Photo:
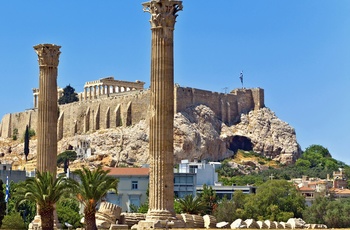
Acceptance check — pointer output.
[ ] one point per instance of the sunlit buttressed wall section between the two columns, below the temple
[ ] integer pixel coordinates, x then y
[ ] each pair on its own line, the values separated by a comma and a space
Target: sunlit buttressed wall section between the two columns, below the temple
120, 109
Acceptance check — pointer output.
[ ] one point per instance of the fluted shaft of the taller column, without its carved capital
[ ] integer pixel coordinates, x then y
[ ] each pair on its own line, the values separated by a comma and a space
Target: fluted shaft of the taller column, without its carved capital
161, 124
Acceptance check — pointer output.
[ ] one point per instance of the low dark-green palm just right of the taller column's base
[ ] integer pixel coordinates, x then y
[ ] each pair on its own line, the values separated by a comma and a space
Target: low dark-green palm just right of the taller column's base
191, 205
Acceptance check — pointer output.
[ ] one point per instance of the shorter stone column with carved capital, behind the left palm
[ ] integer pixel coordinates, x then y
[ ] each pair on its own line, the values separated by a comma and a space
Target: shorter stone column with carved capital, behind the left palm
48, 55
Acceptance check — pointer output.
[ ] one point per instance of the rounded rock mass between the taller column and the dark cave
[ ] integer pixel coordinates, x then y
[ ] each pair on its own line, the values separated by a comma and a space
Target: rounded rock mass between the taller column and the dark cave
197, 135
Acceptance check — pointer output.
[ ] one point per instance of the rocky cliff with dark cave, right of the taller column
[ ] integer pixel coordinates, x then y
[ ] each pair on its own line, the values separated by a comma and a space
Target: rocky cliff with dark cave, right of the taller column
199, 134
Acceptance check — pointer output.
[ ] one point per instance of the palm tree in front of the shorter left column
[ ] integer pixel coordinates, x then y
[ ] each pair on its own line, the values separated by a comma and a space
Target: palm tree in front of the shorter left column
45, 190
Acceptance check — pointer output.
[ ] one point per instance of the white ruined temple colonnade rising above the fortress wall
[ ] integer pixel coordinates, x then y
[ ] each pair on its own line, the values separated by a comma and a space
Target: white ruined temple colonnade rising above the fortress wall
107, 86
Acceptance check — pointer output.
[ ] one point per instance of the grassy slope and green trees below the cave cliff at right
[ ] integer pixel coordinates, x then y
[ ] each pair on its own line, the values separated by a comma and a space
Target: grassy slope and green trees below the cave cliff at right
251, 168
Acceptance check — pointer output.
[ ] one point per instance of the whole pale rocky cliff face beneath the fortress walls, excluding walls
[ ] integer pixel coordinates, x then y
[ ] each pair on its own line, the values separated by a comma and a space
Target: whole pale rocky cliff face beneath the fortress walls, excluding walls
198, 134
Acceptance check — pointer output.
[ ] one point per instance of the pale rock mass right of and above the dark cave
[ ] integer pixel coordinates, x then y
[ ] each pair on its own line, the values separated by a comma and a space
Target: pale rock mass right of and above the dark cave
269, 135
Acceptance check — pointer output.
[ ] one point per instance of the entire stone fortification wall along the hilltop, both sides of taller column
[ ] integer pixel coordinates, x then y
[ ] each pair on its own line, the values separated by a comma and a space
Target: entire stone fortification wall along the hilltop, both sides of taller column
128, 108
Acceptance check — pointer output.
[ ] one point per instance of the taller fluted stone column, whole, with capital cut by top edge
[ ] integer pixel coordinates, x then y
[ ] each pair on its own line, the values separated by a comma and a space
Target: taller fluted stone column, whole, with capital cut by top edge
161, 150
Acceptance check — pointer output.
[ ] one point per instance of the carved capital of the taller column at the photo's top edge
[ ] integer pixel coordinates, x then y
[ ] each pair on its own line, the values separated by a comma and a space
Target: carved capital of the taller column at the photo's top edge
163, 12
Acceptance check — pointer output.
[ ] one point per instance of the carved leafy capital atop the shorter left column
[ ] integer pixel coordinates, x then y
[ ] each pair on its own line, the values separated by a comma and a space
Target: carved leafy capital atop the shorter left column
48, 54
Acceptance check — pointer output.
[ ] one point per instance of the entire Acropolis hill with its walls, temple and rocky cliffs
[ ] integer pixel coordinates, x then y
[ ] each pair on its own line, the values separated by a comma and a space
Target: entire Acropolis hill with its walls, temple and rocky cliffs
208, 125
